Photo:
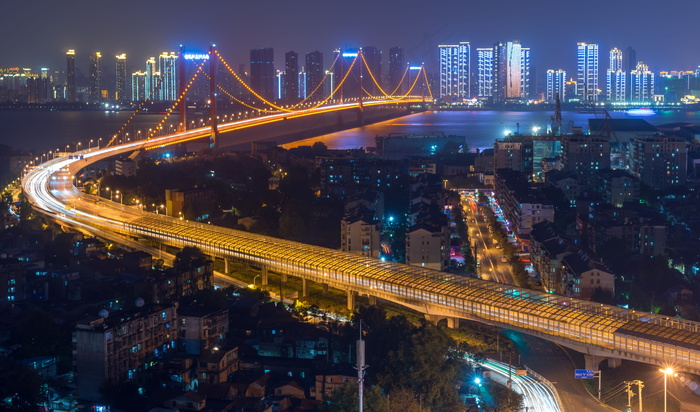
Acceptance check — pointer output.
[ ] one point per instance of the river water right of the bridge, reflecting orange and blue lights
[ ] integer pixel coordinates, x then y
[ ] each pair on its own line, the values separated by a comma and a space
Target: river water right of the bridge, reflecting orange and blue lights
480, 127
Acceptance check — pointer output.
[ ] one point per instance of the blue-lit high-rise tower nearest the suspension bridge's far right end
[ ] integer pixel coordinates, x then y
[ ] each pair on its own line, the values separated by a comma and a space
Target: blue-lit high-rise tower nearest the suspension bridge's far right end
455, 71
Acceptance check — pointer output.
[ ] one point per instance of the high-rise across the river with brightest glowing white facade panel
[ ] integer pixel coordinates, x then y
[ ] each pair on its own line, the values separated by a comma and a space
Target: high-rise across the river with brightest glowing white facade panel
510, 78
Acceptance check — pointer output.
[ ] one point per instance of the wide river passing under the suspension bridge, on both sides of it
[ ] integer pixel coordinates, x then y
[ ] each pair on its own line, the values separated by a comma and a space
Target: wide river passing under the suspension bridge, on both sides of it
39, 131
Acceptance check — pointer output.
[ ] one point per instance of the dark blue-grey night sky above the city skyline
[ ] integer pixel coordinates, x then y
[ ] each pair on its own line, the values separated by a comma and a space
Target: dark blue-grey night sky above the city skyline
36, 33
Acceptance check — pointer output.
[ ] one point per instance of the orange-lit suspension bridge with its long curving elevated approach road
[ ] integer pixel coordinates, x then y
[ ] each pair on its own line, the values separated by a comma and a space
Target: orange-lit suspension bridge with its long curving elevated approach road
599, 331
